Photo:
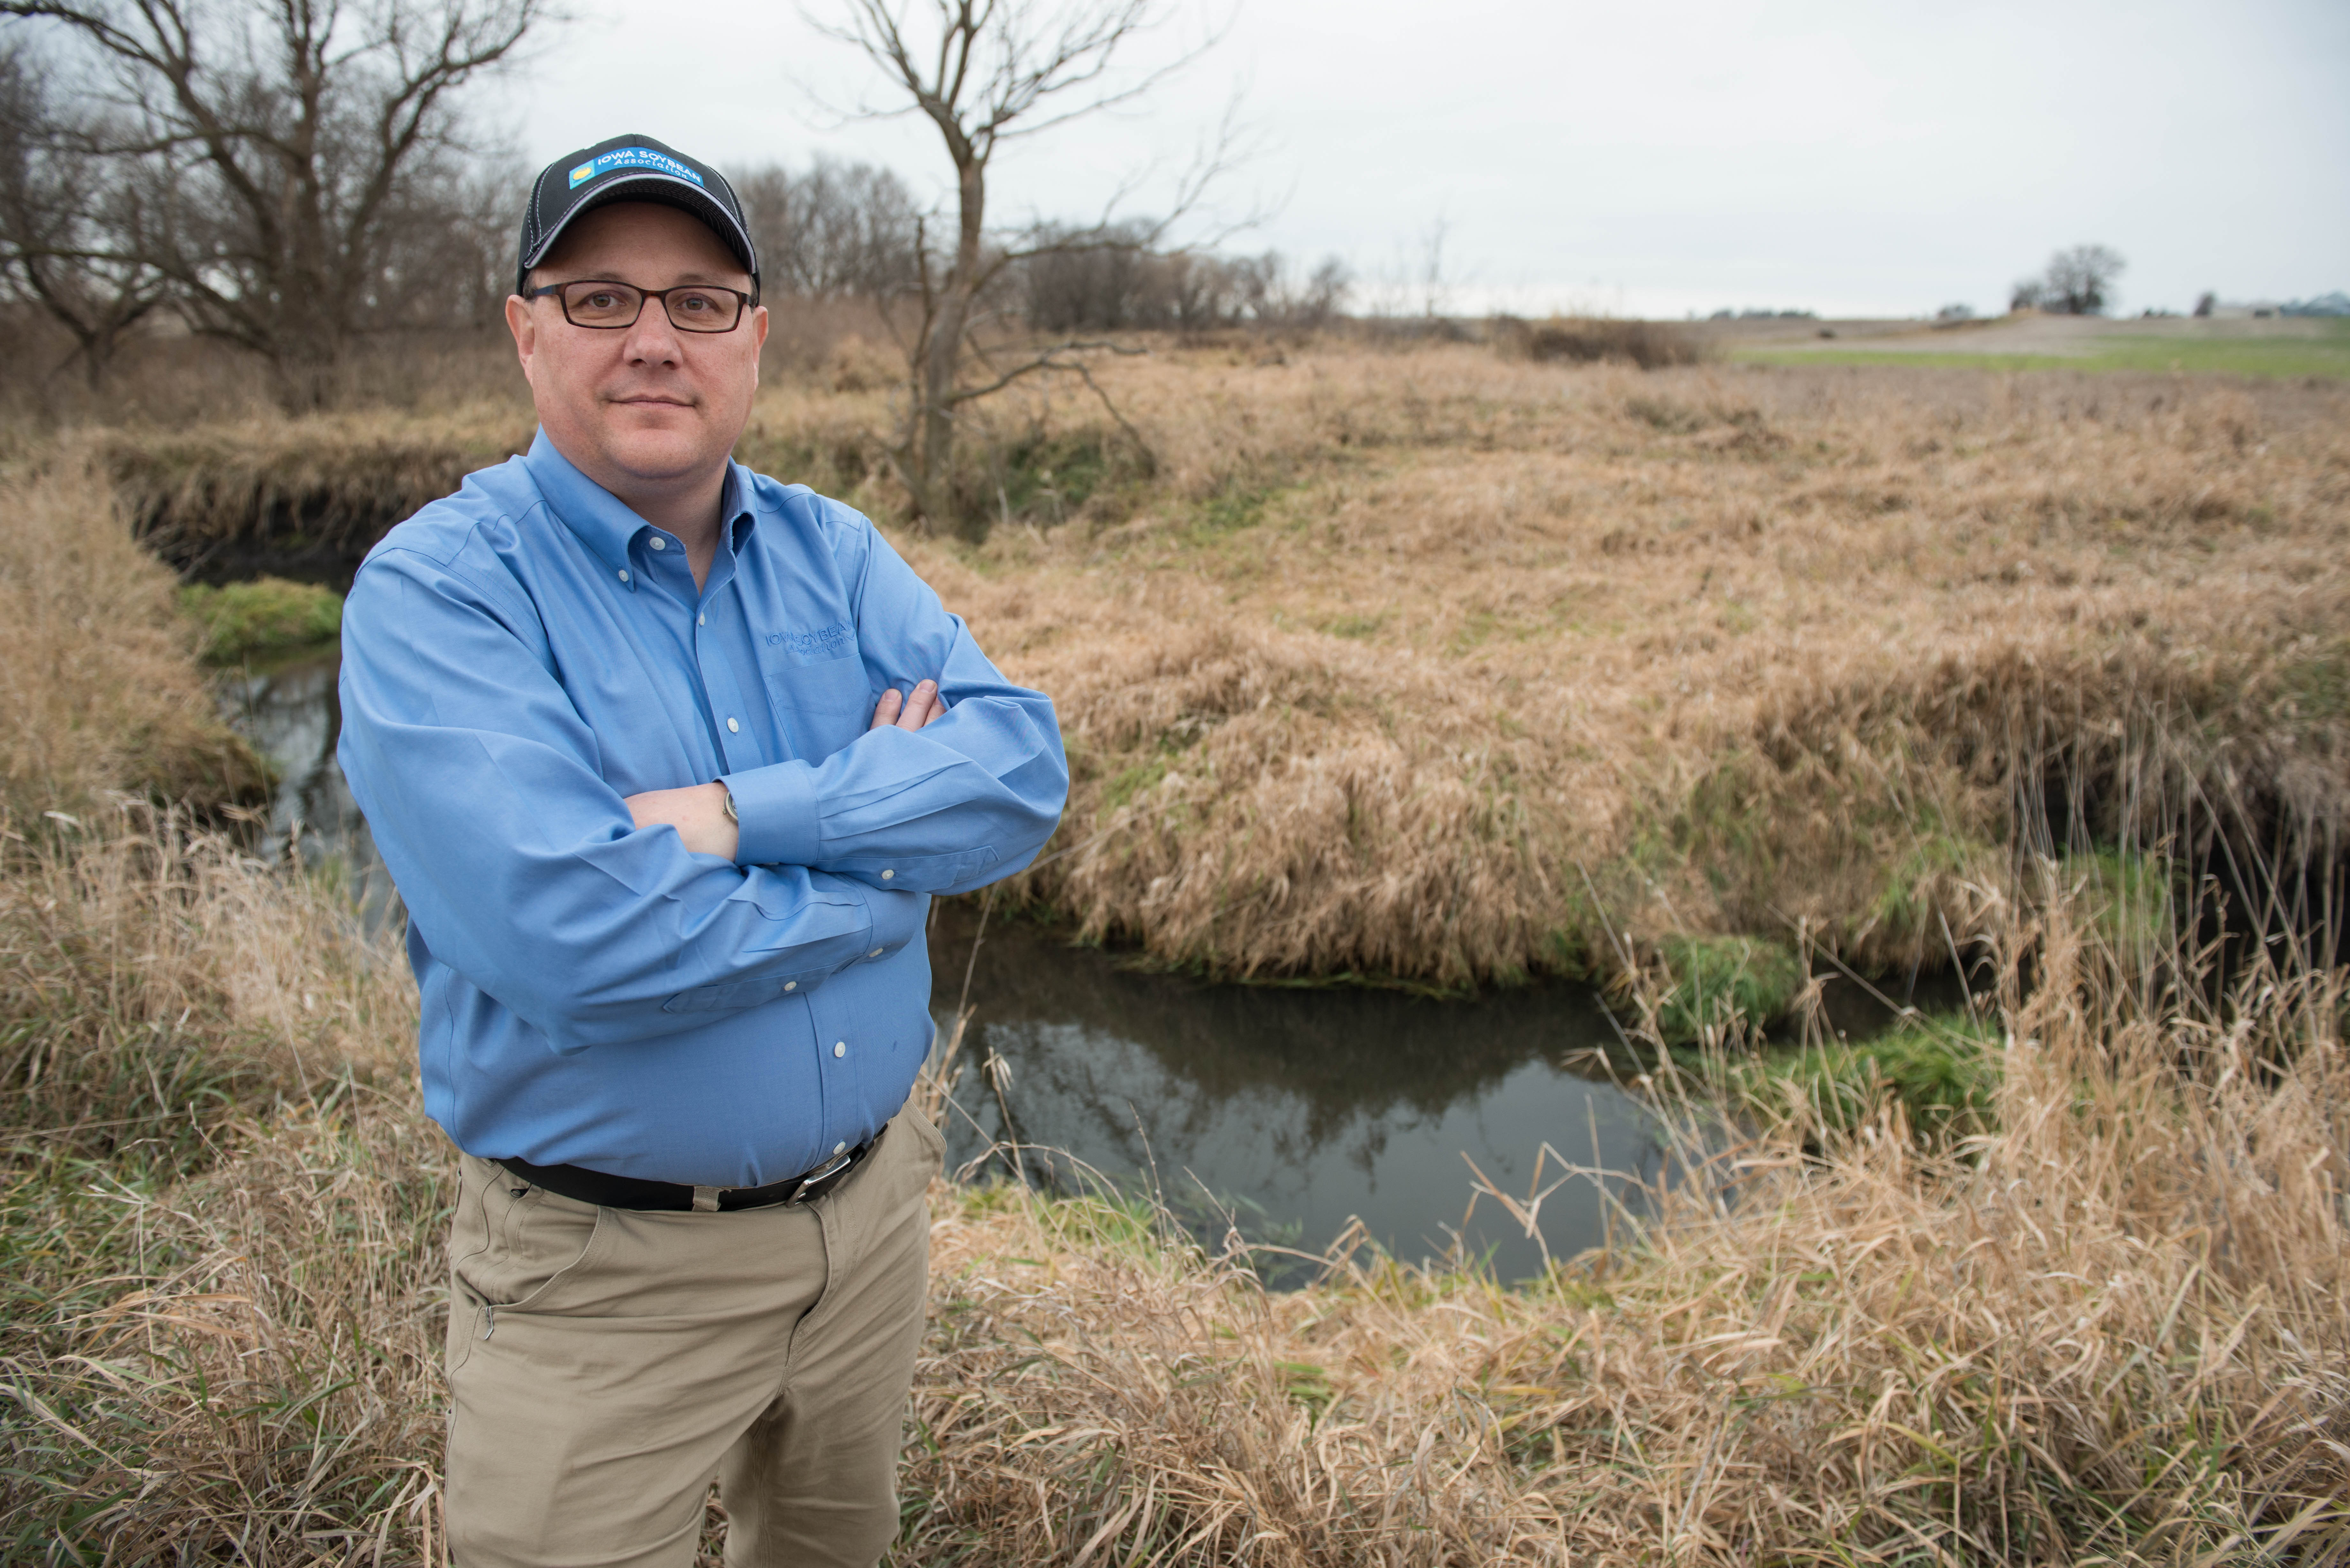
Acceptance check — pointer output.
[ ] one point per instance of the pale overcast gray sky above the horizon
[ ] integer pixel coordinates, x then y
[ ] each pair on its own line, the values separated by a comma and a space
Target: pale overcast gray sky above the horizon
1637, 159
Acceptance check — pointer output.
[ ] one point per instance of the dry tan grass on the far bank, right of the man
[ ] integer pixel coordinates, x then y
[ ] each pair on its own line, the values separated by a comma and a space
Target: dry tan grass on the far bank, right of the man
1411, 643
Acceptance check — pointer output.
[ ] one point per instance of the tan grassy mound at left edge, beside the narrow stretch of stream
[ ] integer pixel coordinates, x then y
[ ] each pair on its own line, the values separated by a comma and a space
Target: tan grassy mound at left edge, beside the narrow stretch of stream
98, 690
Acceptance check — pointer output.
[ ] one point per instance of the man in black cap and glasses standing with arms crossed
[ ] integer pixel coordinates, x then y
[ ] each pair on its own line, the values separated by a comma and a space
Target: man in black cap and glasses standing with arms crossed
669, 763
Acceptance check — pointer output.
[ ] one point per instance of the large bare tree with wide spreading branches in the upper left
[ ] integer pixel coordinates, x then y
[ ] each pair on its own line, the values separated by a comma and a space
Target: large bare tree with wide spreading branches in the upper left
286, 147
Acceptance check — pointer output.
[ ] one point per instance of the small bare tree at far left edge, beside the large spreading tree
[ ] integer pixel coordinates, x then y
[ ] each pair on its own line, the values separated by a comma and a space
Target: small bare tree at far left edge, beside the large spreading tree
74, 232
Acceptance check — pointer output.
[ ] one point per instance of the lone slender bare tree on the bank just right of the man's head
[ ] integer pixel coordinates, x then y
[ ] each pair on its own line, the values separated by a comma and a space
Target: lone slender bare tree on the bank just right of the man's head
983, 74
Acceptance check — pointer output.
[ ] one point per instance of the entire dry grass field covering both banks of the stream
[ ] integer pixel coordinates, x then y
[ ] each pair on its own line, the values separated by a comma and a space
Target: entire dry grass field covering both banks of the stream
1416, 666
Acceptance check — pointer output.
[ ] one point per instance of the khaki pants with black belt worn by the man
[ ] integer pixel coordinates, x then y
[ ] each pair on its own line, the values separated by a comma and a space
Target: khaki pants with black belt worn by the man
605, 1365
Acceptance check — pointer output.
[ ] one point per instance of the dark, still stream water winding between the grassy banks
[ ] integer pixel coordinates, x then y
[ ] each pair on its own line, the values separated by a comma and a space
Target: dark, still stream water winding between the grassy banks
1287, 1113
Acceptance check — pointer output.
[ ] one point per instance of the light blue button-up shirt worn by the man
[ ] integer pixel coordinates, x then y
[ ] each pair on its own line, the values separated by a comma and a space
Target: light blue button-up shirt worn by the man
525, 655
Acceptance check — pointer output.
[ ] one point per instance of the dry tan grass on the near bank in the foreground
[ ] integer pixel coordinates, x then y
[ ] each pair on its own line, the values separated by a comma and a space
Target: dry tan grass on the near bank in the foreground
2107, 1332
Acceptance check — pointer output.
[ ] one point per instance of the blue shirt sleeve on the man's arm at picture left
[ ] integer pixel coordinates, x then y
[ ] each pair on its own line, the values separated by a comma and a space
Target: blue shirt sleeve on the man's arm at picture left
521, 866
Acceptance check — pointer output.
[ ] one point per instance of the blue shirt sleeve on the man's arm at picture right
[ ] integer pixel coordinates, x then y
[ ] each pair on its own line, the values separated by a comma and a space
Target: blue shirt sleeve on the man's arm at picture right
944, 810
